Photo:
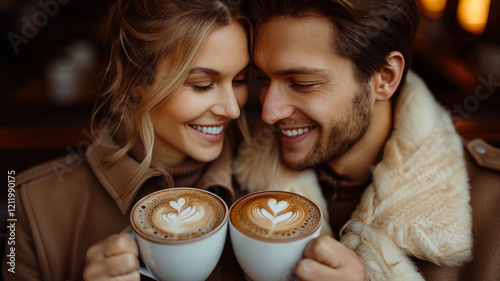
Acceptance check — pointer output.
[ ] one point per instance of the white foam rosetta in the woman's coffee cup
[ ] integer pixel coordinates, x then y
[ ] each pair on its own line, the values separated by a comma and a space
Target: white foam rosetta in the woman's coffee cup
178, 217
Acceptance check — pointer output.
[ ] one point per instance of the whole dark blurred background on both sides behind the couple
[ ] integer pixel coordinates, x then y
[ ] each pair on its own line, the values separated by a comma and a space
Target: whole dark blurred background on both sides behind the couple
50, 57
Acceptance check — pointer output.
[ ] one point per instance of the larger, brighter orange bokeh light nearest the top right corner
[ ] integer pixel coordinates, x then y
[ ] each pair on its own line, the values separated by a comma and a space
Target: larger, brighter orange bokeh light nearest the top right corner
472, 15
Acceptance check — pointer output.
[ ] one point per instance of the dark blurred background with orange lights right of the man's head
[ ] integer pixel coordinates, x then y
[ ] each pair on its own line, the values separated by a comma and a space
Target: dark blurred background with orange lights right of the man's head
457, 52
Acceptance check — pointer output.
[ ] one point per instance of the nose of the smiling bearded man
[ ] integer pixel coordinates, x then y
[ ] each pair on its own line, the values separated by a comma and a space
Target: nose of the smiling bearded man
275, 104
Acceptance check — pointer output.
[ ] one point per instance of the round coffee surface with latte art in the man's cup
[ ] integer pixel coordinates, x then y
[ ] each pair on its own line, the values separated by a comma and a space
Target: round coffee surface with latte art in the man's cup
275, 216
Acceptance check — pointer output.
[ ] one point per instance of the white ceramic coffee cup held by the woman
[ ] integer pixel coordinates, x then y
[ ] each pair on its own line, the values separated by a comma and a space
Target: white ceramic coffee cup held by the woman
183, 259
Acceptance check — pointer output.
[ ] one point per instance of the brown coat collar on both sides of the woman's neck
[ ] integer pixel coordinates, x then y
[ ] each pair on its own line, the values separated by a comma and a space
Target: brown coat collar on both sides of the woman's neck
115, 178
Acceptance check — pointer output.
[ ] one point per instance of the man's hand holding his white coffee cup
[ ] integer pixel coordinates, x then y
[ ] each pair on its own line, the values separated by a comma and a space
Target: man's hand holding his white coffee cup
328, 259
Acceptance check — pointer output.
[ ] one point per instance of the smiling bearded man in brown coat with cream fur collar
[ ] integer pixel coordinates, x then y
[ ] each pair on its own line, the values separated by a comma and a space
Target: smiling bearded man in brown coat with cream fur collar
362, 136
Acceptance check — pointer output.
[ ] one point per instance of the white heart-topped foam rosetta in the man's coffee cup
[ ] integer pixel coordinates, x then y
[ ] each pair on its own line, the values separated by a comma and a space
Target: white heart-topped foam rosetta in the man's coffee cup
276, 216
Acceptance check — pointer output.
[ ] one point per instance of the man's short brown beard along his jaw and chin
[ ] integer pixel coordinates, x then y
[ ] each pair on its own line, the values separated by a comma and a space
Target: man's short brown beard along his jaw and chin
338, 137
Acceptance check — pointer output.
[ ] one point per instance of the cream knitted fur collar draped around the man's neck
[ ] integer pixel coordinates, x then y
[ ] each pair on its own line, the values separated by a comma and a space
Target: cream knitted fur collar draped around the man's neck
418, 203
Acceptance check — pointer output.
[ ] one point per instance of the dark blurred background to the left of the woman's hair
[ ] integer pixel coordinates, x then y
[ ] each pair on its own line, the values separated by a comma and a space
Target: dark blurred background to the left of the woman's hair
49, 70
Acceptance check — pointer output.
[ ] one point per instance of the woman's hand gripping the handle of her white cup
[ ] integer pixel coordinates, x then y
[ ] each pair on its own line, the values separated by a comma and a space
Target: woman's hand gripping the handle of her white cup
114, 258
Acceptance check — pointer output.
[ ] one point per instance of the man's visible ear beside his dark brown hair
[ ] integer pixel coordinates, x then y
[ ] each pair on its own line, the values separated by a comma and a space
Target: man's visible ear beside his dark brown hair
386, 81
